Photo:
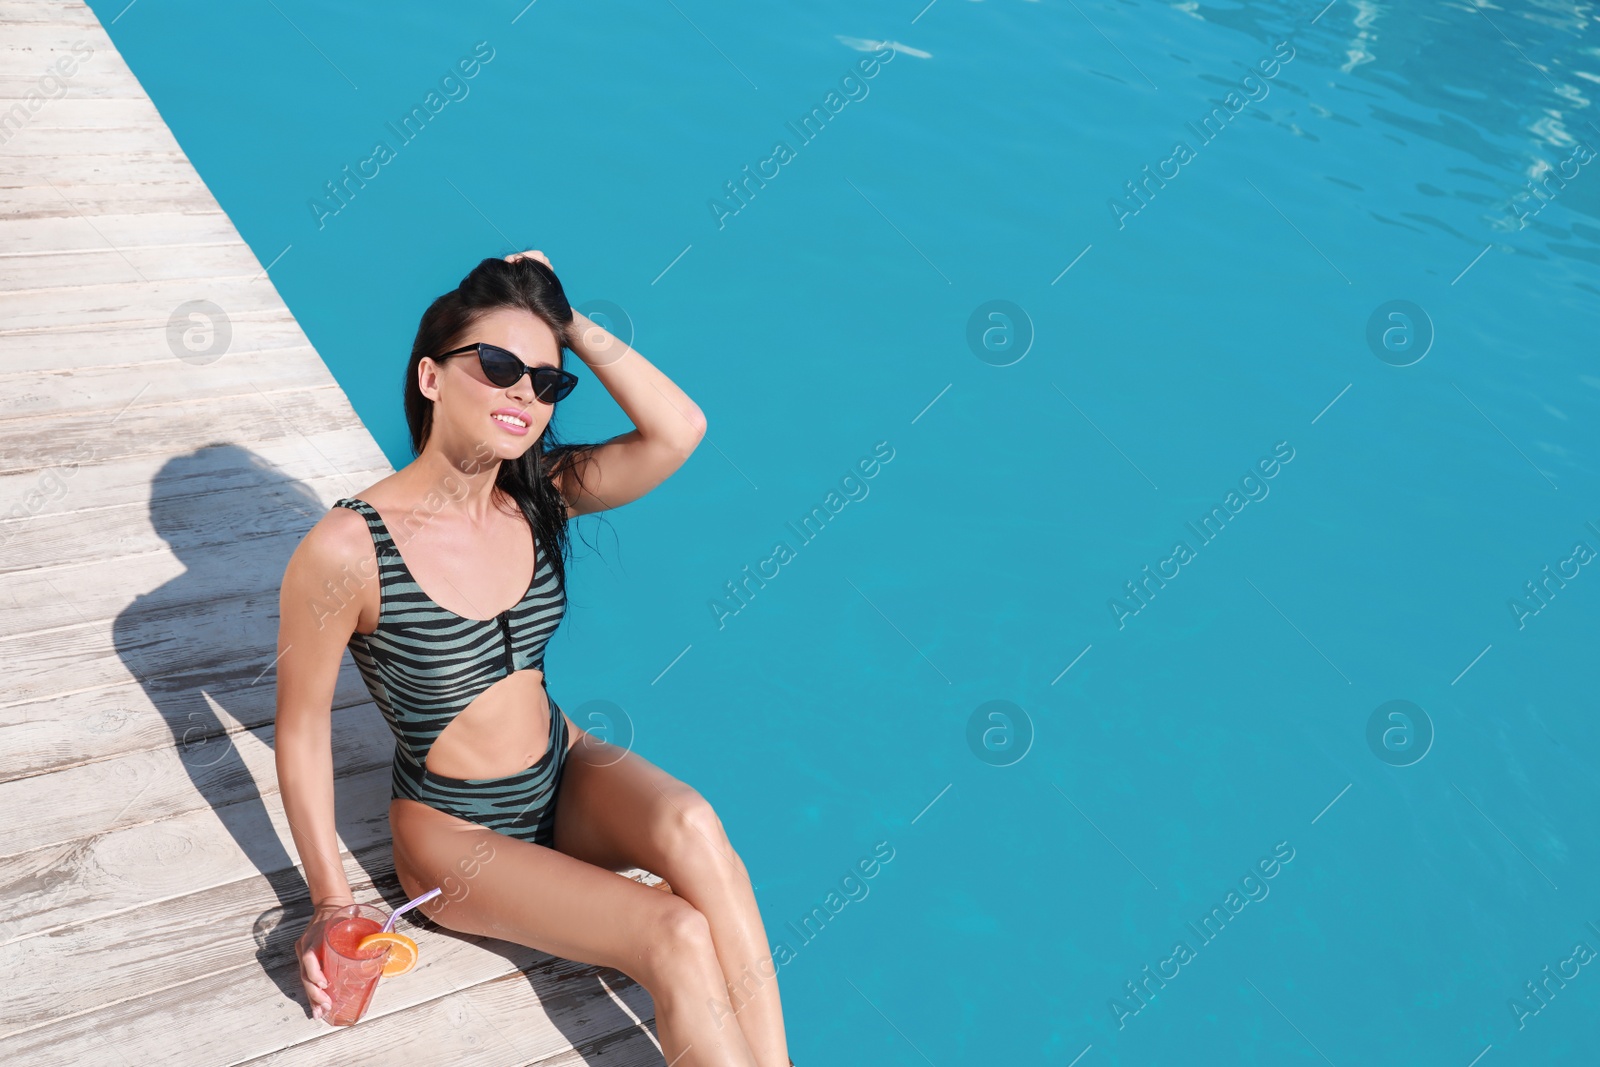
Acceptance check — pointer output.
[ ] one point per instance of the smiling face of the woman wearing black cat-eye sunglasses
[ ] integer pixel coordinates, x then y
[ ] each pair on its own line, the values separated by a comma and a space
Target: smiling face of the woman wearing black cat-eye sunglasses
476, 417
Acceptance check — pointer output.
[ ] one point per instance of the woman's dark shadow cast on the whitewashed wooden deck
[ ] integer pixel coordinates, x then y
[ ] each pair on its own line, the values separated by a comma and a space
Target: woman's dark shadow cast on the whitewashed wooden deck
204, 647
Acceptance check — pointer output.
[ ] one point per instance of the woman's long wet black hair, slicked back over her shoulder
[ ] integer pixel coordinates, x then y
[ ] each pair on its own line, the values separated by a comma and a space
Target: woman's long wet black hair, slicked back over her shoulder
527, 286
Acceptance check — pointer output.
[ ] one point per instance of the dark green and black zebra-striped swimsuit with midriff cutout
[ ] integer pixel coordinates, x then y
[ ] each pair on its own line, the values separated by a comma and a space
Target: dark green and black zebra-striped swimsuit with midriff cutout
425, 665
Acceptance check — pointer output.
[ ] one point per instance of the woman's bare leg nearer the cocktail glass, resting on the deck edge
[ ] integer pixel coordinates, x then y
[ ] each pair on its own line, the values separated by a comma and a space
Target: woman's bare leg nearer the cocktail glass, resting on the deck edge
514, 890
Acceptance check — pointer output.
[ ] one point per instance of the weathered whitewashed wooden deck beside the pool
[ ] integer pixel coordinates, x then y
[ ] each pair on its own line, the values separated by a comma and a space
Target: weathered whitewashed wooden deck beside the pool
150, 498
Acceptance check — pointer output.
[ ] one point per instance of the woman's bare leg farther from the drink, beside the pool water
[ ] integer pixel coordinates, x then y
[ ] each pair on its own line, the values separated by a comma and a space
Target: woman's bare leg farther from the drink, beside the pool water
617, 810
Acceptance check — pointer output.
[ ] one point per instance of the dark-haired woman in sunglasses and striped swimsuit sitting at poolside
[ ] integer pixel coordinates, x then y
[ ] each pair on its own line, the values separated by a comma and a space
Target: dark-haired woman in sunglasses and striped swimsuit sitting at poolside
498, 797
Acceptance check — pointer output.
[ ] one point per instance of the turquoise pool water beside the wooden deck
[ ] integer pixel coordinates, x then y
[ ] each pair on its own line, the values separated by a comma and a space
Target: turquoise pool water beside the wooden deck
1329, 313
